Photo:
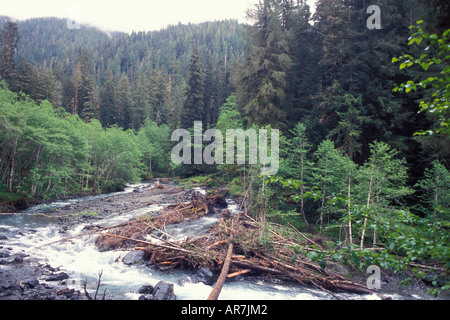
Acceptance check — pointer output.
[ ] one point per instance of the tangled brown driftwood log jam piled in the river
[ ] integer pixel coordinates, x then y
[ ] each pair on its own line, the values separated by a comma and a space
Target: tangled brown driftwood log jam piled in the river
232, 247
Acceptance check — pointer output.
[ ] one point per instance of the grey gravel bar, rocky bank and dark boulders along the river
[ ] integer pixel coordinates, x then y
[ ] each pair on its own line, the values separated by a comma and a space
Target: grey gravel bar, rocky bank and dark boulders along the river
24, 277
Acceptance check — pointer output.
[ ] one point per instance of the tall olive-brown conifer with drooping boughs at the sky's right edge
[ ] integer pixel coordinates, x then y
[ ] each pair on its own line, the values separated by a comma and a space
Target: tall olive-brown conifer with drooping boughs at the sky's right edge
261, 79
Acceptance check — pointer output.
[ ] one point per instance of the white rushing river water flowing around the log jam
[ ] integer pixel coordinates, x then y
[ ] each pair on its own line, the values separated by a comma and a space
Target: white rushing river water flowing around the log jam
37, 237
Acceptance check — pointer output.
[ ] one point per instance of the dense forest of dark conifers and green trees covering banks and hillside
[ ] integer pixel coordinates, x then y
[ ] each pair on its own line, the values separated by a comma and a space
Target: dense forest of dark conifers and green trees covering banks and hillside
363, 116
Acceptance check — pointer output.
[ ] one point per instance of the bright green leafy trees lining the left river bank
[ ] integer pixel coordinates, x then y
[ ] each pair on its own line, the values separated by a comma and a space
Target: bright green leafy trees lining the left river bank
48, 154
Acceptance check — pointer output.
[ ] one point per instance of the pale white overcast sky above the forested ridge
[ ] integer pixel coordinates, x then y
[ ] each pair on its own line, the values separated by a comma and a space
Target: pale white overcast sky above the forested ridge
129, 15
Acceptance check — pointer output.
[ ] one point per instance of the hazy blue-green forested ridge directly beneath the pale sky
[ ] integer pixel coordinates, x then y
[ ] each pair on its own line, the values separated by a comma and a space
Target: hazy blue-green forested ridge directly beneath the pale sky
49, 41
